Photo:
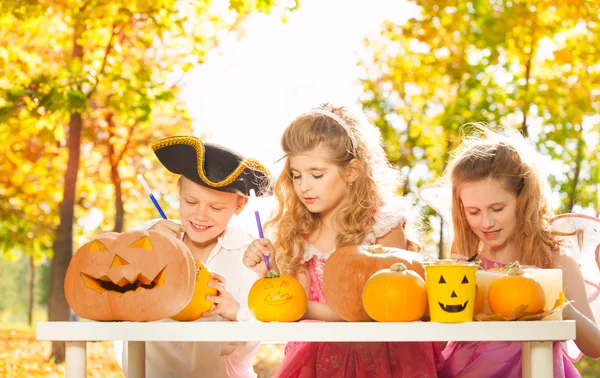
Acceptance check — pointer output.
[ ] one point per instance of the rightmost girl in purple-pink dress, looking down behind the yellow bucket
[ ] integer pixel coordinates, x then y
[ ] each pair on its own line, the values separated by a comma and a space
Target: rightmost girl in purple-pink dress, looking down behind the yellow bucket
500, 214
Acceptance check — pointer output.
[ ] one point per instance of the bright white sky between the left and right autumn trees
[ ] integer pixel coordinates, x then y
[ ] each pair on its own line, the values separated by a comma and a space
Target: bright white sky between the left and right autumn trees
246, 95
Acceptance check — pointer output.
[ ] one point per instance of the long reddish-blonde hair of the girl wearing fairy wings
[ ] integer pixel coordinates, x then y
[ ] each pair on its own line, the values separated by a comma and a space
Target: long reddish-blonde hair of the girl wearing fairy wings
504, 158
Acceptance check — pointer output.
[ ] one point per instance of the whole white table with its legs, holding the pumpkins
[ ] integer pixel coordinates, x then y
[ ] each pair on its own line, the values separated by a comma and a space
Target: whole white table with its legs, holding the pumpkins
537, 337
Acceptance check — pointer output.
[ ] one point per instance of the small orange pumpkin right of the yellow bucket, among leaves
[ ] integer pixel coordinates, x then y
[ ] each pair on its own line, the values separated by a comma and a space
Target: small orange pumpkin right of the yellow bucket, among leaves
515, 289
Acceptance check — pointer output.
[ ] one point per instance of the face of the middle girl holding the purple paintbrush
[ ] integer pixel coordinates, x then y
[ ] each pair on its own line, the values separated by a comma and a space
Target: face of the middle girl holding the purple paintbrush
319, 184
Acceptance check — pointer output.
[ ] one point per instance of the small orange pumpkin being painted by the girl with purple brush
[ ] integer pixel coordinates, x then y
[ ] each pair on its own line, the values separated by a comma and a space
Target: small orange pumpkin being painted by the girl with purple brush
277, 298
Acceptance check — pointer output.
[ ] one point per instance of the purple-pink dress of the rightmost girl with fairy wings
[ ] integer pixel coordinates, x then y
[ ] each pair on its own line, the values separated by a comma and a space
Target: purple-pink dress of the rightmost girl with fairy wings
495, 359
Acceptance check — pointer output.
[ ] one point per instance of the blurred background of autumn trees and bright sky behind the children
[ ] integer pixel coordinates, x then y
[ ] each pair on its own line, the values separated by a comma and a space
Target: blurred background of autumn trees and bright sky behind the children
87, 85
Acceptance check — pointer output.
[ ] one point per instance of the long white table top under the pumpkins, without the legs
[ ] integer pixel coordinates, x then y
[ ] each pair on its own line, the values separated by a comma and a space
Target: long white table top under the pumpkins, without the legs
306, 331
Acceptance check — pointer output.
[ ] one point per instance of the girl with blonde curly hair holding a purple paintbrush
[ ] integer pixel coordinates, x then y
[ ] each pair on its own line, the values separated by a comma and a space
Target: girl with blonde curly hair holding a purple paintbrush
337, 189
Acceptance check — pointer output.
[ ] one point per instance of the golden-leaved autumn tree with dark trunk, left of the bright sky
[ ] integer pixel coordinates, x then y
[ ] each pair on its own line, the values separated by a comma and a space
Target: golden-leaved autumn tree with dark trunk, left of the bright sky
92, 83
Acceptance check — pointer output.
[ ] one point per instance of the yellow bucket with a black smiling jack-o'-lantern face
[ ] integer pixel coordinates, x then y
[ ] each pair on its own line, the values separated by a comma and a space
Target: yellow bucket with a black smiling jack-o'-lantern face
451, 290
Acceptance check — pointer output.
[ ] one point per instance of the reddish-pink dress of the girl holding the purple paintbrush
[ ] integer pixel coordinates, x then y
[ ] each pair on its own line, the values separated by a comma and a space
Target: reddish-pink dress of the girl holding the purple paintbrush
348, 360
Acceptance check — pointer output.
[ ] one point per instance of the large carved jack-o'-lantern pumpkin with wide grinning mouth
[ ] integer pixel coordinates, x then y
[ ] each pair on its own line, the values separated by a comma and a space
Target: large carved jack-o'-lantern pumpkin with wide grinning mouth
136, 276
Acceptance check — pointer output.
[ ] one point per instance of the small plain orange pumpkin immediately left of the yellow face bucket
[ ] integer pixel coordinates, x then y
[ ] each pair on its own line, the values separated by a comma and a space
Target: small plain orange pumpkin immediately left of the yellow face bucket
395, 295
